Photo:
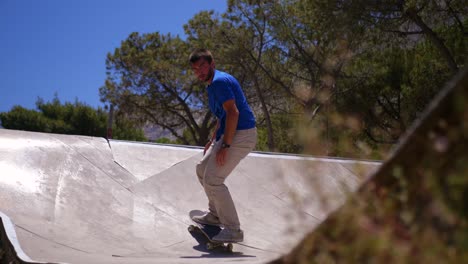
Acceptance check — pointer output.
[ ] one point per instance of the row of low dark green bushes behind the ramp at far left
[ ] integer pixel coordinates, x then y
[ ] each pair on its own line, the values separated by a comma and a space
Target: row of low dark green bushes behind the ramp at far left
69, 118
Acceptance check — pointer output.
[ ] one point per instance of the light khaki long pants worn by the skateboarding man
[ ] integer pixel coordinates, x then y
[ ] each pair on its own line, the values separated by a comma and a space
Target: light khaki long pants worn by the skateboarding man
212, 176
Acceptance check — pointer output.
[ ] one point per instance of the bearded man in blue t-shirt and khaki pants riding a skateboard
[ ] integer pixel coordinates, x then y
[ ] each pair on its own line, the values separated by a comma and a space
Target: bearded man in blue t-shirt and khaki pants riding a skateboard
234, 138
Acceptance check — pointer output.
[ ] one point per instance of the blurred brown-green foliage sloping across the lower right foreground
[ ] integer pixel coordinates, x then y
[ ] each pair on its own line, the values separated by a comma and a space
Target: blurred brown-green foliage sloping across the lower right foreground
415, 208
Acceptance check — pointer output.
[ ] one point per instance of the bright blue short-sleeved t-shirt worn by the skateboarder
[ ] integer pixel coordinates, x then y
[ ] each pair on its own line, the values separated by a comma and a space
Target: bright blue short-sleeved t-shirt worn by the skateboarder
225, 87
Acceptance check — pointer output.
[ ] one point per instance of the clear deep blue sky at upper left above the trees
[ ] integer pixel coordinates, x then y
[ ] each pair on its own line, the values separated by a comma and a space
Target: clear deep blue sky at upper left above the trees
59, 46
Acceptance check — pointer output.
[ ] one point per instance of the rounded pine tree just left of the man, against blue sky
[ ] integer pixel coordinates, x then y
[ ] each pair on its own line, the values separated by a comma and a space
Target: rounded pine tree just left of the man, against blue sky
149, 79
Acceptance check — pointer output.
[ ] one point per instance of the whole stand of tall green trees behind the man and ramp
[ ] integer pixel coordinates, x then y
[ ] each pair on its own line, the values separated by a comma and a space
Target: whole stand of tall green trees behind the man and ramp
379, 62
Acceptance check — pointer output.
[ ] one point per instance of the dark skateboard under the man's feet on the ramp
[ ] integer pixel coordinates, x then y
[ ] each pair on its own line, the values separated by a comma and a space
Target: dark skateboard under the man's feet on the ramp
209, 231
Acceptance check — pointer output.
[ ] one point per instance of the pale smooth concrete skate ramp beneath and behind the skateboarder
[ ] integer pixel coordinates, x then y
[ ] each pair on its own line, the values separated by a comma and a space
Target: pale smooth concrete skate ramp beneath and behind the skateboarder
76, 199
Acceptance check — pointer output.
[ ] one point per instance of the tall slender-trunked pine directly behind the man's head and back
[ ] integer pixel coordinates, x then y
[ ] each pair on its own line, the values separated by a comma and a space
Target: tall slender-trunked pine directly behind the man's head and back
238, 40
